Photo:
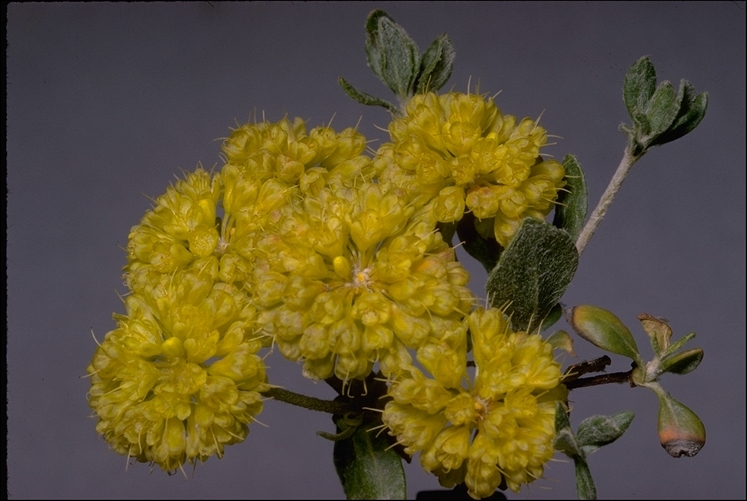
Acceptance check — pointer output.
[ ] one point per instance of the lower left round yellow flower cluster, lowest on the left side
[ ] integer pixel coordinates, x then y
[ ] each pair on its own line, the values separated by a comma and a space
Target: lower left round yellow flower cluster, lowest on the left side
180, 377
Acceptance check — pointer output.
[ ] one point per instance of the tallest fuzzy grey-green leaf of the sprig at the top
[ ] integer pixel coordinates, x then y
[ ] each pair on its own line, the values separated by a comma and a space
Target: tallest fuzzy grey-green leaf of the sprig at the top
392, 54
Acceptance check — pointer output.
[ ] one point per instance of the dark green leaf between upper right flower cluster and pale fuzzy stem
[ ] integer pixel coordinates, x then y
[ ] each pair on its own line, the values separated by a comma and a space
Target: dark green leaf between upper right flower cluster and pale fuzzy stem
570, 213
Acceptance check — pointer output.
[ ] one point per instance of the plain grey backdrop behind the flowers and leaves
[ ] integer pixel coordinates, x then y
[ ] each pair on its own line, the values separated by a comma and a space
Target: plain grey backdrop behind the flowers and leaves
107, 102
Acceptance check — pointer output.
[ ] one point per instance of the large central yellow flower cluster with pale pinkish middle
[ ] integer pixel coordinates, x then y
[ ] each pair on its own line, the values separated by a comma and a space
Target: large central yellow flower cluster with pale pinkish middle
351, 276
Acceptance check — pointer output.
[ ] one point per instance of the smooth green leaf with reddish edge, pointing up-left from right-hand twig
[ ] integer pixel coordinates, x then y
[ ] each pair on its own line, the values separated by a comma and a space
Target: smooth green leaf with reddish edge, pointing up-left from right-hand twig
604, 330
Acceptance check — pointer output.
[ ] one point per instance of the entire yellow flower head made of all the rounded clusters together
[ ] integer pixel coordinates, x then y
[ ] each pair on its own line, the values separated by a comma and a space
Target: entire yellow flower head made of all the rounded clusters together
303, 242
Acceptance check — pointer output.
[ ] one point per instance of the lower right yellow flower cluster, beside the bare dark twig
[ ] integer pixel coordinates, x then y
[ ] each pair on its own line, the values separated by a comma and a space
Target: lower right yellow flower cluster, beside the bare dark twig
500, 427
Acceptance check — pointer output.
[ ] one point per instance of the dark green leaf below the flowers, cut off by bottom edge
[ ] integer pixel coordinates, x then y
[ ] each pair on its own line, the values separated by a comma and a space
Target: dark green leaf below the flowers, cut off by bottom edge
368, 467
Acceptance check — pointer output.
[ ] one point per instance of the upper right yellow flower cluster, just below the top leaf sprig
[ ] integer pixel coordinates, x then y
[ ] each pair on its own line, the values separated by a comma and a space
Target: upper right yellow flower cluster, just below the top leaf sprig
462, 153
